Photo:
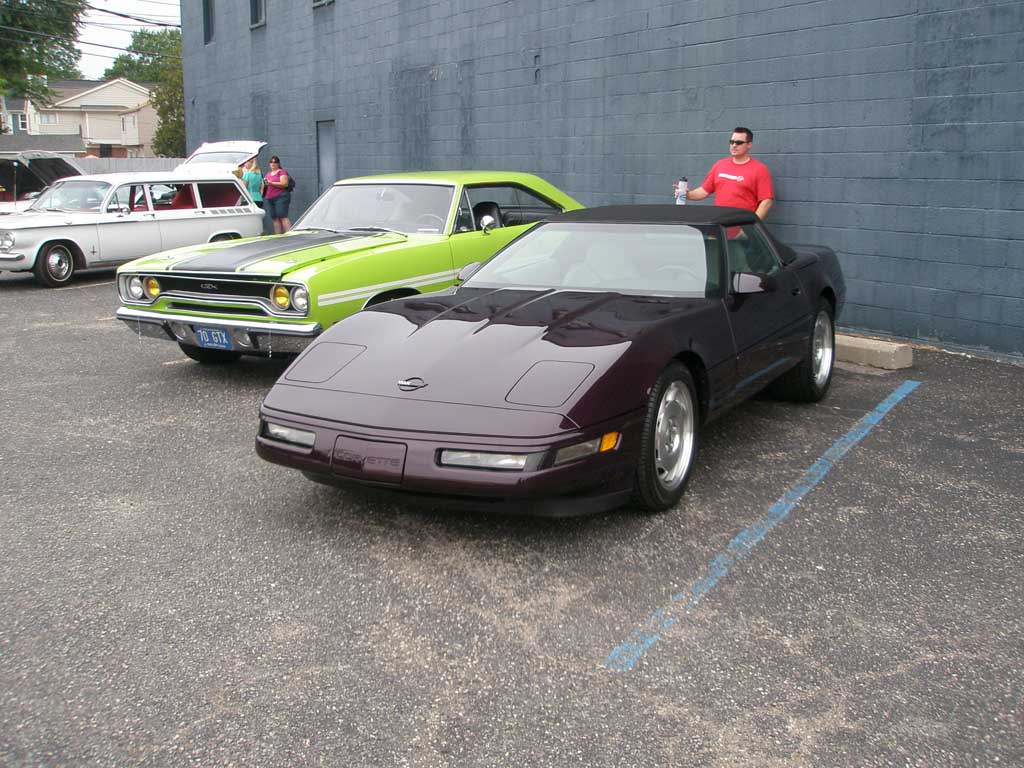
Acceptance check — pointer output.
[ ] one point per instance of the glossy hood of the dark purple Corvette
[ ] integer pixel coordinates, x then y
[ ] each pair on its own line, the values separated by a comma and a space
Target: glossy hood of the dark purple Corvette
507, 349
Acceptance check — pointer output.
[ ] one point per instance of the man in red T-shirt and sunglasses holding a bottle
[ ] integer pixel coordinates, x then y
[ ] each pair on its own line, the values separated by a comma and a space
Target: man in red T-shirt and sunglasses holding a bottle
740, 181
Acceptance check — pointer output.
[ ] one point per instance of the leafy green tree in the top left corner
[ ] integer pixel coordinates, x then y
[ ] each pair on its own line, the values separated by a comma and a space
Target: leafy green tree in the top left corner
38, 41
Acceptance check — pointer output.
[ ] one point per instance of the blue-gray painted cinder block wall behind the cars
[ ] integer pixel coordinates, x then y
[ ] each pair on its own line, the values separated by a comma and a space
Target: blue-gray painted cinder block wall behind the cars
892, 127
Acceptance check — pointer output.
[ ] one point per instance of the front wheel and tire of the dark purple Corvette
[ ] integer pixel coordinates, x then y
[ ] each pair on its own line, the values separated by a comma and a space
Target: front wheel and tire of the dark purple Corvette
670, 441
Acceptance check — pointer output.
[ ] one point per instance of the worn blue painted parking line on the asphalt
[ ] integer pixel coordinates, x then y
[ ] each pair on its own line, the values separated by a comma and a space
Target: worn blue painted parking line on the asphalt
627, 655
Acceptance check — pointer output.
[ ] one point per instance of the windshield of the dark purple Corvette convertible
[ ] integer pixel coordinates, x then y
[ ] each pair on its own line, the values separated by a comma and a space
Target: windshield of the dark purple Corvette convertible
630, 259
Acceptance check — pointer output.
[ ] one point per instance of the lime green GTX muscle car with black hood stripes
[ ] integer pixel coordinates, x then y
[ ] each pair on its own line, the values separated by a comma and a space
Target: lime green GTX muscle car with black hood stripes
363, 242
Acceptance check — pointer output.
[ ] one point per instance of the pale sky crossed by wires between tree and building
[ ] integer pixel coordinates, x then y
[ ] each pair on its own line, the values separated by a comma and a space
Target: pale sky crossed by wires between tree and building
116, 31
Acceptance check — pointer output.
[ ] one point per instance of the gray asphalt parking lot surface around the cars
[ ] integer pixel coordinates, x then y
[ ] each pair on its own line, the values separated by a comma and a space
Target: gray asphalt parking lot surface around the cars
170, 600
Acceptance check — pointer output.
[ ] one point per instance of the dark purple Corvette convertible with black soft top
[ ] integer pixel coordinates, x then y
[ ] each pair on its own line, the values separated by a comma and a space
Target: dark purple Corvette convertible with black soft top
571, 373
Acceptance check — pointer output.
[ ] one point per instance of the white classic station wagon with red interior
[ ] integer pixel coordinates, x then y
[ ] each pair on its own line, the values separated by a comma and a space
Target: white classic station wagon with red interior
104, 221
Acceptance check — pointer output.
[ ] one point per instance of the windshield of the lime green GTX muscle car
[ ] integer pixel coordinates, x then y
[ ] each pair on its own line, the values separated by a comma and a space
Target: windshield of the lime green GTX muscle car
404, 208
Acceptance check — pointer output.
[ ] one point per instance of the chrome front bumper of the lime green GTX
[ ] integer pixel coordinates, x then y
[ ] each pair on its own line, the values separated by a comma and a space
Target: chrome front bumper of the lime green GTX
250, 337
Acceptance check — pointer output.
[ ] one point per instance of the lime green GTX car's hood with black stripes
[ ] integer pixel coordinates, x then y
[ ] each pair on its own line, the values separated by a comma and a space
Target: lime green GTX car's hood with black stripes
275, 255
